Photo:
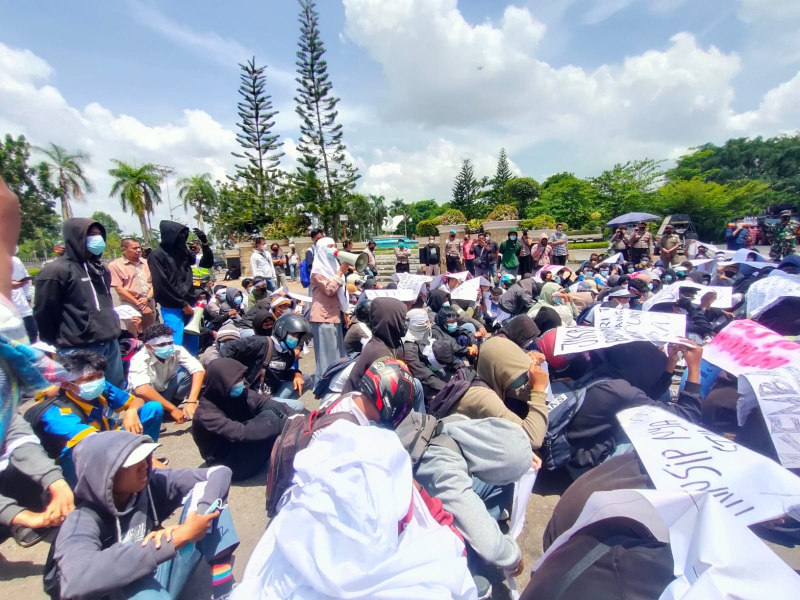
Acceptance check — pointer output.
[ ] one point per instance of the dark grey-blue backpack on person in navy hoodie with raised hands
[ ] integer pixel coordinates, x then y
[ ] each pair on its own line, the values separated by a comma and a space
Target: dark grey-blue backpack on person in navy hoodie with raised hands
568, 397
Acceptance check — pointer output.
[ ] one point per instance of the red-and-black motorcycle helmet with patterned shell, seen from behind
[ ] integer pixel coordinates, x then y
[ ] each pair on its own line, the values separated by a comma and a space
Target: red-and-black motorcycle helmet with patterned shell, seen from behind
390, 387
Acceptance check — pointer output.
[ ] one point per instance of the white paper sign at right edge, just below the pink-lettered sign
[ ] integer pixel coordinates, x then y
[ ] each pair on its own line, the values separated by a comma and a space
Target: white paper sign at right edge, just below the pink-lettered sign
777, 393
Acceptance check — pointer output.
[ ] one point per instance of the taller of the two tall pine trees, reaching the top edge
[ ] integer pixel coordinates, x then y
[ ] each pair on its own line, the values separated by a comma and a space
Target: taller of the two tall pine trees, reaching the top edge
321, 135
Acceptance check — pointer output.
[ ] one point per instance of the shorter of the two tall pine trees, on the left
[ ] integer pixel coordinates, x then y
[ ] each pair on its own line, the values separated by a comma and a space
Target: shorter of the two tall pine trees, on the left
260, 144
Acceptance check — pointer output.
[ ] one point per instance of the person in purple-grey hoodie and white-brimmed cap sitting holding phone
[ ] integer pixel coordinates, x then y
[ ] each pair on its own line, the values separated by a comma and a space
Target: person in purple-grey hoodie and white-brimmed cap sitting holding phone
114, 544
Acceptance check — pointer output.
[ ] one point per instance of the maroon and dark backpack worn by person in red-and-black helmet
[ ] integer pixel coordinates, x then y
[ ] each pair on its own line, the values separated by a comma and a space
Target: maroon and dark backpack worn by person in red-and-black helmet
297, 434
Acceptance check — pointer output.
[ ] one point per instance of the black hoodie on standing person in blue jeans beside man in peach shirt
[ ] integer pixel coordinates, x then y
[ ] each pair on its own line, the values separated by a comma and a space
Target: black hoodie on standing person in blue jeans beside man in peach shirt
171, 267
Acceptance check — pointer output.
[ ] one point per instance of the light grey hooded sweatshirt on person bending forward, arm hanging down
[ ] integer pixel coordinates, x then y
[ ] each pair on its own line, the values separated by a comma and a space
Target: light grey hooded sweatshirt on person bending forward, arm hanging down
495, 451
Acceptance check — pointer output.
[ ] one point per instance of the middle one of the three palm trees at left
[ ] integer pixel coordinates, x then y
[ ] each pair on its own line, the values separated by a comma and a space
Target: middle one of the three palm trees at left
139, 190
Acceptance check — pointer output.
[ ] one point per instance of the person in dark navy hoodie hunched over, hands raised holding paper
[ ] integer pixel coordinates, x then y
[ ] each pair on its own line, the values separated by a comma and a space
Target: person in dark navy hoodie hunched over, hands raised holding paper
633, 374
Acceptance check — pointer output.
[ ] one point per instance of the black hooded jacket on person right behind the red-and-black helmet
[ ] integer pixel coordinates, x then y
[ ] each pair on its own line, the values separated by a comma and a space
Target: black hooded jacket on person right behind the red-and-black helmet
388, 319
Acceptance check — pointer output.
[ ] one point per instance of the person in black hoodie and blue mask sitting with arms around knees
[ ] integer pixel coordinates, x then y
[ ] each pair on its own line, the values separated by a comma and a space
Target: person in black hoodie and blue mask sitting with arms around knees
235, 426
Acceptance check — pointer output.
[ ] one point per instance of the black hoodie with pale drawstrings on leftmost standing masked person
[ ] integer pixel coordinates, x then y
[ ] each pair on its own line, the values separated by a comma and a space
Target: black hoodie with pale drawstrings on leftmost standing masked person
73, 305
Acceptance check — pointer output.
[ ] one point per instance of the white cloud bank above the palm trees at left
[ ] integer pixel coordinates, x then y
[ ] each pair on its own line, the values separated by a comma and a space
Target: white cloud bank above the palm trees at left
196, 143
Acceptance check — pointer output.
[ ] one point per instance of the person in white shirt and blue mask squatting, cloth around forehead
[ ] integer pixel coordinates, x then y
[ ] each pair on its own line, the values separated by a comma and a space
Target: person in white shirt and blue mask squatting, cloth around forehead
166, 373
